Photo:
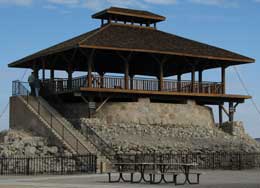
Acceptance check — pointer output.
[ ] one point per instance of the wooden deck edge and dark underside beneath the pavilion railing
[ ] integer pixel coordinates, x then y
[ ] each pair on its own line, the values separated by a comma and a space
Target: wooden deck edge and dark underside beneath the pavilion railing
100, 94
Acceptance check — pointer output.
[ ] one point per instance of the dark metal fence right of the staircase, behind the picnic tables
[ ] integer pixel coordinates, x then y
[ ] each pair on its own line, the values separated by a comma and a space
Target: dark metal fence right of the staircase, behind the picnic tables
227, 161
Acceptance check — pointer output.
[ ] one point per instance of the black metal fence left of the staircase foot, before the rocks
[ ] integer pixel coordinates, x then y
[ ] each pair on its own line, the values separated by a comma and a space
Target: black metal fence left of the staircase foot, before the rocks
78, 164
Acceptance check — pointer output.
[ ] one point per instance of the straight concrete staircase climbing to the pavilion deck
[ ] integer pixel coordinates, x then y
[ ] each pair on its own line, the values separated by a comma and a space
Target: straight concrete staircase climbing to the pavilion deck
71, 138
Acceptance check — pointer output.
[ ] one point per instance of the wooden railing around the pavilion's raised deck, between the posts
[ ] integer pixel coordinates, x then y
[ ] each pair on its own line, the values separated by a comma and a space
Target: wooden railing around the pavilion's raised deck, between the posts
143, 84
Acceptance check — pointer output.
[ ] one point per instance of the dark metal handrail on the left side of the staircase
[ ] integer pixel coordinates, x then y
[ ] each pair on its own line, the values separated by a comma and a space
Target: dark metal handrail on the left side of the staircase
20, 90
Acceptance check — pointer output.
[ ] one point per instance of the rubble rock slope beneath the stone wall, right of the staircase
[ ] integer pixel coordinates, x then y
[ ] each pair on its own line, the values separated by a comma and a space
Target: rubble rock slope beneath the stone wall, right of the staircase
146, 138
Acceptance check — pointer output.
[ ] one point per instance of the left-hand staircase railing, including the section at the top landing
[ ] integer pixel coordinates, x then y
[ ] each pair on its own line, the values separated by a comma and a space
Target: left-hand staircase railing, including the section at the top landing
20, 89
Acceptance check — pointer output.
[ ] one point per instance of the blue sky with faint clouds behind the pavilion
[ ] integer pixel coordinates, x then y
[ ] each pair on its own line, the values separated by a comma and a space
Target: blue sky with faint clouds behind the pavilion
27, 26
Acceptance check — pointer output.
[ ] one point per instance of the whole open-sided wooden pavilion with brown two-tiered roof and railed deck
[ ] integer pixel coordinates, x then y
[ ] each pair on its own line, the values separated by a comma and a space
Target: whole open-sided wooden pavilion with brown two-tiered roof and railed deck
129, 43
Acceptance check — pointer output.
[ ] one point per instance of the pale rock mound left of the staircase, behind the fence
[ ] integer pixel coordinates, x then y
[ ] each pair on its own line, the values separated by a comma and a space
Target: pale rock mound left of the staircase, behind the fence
20, 143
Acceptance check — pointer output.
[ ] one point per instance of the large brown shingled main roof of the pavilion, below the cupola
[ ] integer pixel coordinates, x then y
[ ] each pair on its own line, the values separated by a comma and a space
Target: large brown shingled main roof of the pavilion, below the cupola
121, 37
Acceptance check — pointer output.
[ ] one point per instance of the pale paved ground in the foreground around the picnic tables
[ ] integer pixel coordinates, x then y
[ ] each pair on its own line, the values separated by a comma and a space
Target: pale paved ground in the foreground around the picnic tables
215, 179
